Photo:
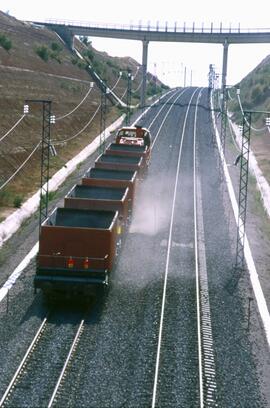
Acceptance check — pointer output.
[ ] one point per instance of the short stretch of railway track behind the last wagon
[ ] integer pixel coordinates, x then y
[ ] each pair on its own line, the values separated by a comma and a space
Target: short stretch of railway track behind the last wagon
41, 372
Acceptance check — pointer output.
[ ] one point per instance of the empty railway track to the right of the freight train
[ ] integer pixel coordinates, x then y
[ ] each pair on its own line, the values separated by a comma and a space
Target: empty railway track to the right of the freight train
202, 343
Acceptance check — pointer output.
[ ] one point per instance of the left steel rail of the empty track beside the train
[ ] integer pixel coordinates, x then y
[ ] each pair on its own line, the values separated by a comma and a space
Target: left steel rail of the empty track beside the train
154, 394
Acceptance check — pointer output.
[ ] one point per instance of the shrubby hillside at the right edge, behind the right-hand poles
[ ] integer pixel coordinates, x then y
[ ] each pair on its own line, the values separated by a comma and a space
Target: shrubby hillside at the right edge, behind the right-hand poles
255, 96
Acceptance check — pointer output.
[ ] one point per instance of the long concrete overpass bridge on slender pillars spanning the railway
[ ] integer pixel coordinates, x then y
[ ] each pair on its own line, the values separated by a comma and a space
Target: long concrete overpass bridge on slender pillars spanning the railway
207, 35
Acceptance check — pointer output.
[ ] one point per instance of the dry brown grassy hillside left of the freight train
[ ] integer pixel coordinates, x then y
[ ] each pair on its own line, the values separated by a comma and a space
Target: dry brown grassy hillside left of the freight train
36, 64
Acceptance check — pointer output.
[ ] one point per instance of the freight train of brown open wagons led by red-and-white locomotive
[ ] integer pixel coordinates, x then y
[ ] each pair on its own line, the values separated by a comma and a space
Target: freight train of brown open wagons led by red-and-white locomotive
80, 241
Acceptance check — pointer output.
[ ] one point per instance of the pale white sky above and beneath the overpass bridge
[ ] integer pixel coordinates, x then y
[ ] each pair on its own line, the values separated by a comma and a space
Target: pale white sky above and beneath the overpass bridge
167, 60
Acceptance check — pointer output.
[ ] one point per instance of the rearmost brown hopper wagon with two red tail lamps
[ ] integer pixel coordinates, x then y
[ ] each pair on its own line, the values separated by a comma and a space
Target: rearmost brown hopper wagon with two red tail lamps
76, 250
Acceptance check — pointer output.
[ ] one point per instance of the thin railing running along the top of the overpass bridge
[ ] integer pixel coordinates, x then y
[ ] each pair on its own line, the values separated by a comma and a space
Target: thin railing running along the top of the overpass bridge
157, 27
